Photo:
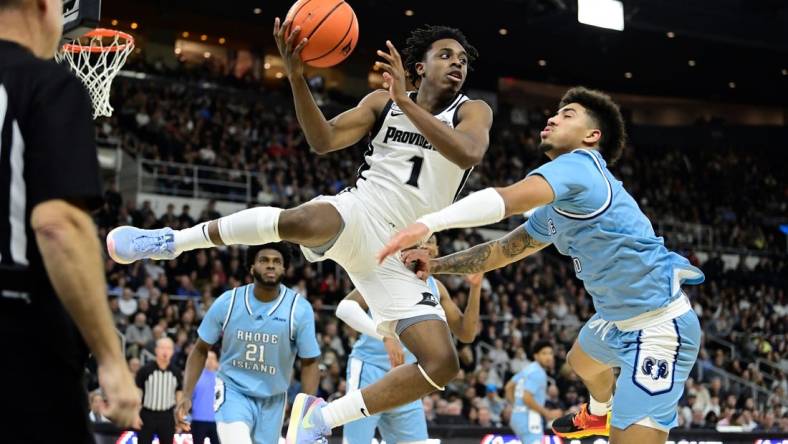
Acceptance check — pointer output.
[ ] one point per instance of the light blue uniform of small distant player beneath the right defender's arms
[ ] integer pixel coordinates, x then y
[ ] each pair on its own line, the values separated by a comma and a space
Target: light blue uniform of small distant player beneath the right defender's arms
526, 423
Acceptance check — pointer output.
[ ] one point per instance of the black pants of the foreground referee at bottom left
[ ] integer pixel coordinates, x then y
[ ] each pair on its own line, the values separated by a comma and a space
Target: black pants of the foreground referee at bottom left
43, 372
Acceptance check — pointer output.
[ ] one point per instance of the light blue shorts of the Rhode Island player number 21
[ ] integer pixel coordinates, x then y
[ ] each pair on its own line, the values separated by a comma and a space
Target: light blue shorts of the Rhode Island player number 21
264, 416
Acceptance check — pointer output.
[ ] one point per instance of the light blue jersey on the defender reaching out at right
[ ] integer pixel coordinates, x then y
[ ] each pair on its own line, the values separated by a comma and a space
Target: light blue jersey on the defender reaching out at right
623, 264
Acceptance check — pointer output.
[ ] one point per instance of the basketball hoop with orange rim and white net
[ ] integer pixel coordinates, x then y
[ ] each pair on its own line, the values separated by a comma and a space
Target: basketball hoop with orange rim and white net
96, 58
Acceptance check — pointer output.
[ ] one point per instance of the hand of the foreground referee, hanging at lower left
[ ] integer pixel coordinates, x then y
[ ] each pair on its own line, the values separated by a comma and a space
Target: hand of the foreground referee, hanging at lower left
123, 396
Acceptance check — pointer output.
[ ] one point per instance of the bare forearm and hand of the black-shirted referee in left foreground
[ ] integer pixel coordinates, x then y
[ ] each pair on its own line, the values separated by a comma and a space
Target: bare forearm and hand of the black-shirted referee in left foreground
69, 246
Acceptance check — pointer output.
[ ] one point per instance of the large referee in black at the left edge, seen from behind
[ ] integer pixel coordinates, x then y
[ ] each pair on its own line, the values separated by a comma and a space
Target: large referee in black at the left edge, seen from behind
53, 299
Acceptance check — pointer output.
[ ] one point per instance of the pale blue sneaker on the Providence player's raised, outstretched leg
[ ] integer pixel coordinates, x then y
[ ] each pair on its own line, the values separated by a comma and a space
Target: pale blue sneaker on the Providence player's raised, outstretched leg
128, 244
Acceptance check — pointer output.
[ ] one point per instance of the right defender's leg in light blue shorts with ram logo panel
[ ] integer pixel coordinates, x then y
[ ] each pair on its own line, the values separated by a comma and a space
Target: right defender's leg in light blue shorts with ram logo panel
655, 364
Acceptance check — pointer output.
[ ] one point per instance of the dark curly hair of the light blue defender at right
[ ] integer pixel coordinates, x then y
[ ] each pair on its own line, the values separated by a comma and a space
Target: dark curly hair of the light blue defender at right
606, 114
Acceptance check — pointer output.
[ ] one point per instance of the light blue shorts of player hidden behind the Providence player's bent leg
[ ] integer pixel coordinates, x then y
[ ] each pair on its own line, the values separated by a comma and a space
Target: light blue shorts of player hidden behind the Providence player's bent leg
403, 424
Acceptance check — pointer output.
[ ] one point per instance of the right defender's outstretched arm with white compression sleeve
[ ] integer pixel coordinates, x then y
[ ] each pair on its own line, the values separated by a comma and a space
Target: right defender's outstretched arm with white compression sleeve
484, 207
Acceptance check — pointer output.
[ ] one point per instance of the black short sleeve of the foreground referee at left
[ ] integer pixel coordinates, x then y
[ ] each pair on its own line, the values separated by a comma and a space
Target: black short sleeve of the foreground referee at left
60, 142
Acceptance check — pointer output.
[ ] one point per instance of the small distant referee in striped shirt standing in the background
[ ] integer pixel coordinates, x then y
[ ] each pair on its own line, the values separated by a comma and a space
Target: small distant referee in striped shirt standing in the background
161, 388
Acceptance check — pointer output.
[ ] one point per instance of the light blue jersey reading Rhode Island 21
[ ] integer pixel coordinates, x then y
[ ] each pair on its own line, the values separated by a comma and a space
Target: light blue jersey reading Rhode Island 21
260, 341
